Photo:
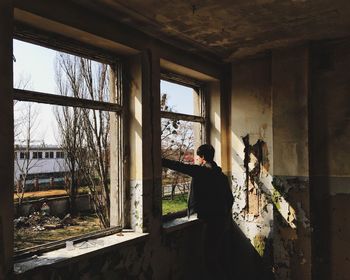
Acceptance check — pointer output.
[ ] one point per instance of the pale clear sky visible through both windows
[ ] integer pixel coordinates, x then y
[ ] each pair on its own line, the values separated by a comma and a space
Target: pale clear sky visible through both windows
36, 65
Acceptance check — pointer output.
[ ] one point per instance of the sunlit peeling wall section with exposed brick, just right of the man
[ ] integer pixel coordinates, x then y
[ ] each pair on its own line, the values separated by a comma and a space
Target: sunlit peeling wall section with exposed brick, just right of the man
252, 161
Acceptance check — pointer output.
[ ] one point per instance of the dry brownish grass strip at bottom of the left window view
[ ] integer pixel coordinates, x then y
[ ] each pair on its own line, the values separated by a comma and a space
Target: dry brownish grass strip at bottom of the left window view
27, 237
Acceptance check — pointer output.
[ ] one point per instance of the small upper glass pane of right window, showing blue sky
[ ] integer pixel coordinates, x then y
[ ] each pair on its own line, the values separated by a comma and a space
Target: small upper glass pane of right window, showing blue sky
179, 99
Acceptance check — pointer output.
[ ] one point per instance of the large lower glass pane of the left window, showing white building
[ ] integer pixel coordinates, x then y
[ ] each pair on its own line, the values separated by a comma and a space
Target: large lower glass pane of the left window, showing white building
61, 172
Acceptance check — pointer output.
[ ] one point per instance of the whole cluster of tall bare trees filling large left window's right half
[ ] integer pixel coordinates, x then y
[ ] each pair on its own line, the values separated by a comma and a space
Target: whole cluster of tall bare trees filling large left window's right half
84, 132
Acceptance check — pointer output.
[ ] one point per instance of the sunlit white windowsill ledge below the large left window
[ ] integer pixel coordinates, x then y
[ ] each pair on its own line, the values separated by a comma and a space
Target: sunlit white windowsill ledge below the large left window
82, 249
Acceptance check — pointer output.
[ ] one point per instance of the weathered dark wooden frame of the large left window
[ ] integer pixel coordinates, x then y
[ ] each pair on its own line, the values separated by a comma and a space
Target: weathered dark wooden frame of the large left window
63, 44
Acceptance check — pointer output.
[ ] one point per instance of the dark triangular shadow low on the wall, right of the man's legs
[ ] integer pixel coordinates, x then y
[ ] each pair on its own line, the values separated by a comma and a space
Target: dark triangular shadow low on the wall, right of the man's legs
243, 261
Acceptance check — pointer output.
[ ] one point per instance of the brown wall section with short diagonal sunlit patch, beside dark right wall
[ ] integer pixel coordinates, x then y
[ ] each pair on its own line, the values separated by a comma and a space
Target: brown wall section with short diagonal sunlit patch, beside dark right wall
292, 244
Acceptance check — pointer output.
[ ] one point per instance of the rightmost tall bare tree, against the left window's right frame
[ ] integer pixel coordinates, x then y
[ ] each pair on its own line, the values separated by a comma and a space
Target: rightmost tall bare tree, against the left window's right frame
96, 125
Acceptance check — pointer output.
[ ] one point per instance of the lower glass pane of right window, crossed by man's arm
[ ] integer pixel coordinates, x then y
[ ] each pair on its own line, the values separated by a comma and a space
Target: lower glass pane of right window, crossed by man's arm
180, 139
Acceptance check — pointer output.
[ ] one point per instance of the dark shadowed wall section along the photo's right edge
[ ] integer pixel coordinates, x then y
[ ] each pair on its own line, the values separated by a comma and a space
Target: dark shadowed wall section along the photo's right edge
330, 158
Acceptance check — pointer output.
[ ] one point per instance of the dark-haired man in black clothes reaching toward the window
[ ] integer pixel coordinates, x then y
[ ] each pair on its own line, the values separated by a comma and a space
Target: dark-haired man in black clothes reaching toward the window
211, 198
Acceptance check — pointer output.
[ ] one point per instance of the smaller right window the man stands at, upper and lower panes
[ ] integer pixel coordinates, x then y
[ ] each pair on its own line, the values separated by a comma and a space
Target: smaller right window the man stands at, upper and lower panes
182, 131
